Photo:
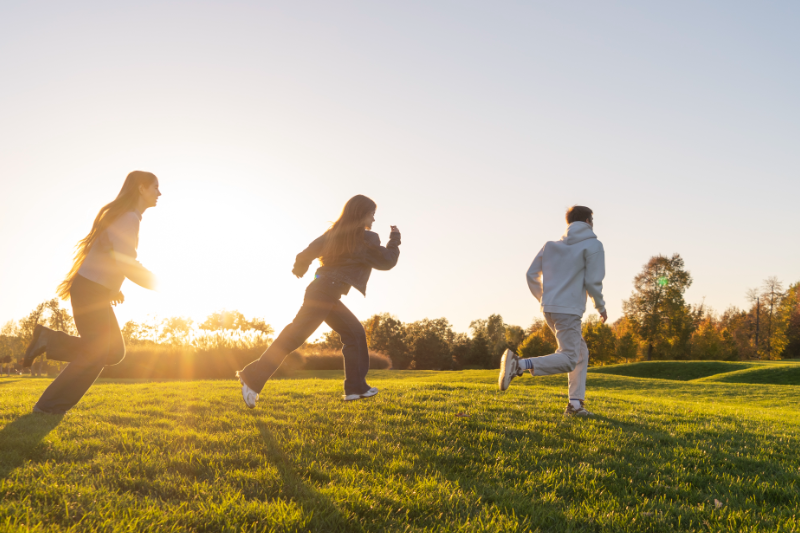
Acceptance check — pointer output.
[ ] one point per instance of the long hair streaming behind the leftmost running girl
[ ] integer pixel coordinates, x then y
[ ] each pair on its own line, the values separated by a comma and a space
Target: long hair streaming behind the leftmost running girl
126, 200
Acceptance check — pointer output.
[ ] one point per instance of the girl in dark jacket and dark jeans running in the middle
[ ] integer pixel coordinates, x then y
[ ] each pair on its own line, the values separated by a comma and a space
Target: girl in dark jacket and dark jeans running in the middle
348, 252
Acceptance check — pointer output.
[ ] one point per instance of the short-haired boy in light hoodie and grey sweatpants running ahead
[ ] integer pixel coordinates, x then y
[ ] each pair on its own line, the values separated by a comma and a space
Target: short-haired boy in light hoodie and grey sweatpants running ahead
561, 276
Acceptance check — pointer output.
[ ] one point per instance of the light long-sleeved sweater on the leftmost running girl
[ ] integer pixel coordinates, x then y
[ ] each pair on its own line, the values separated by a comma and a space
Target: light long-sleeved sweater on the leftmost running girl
112, 257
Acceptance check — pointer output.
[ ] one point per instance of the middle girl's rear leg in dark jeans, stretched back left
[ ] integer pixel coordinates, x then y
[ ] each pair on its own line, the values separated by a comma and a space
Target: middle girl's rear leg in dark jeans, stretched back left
320, 297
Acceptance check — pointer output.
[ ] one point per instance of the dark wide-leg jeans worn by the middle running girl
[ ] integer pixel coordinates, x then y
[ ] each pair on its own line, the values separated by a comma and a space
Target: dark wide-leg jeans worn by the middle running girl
321, 304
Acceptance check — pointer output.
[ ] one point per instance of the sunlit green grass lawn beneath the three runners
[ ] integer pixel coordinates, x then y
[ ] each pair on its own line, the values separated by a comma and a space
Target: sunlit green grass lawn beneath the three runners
187, 456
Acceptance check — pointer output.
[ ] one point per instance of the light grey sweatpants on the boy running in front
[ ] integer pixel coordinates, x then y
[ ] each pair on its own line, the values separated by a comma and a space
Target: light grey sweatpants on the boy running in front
571, 357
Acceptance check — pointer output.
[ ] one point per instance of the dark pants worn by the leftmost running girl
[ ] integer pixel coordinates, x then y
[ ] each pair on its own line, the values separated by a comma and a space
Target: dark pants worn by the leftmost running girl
100, 344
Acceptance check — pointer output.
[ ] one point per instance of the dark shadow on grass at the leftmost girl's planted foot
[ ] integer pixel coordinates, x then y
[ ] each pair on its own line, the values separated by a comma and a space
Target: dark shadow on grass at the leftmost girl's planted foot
21, 440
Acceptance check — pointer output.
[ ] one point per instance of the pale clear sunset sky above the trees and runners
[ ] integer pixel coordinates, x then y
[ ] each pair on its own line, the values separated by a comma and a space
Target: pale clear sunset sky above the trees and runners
473, 125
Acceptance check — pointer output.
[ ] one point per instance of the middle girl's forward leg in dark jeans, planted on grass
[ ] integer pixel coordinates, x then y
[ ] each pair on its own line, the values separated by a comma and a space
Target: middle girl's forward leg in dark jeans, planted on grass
355, 350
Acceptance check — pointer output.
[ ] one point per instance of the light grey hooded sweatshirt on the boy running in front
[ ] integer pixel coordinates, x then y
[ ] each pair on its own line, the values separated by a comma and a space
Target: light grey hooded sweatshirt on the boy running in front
565, 271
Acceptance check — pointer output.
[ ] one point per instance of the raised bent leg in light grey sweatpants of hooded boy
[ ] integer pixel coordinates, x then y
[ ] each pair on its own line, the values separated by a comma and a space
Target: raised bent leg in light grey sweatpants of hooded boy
567, 329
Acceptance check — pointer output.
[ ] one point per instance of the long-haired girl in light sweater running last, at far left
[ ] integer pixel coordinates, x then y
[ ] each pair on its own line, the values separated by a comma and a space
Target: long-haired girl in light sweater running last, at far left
104, 258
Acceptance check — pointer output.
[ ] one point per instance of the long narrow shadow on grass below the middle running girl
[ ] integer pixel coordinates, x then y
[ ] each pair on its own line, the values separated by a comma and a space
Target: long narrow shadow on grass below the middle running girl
325, 516
